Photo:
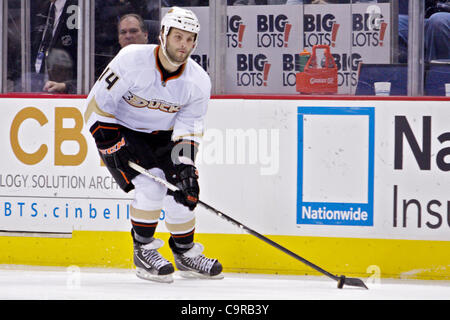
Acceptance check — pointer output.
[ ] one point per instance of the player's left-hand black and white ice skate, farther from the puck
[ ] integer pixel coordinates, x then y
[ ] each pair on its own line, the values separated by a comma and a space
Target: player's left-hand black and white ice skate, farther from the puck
150, 264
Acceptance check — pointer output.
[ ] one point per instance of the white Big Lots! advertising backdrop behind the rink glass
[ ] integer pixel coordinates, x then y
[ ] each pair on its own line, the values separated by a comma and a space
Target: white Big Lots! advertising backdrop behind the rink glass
263, 43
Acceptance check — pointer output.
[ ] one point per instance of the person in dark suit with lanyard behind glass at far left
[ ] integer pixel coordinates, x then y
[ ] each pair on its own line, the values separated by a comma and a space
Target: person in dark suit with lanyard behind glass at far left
54, 47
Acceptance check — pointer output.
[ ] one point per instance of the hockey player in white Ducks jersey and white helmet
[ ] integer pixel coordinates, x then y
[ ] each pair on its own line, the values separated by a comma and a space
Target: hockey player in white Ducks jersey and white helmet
148, 106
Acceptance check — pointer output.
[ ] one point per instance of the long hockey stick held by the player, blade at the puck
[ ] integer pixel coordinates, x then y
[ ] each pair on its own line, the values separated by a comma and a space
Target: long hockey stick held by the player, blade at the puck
341, 280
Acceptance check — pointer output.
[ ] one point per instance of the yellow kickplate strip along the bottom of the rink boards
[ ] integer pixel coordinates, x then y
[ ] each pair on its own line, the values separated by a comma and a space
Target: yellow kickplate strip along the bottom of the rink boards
369, 258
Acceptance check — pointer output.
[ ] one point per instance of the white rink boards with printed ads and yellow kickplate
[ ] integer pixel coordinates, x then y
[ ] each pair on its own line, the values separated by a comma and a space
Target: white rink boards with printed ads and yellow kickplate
356, 186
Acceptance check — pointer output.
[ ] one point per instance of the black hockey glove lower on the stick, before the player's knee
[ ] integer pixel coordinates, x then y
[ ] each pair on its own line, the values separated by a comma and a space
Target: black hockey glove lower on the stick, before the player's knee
187, 177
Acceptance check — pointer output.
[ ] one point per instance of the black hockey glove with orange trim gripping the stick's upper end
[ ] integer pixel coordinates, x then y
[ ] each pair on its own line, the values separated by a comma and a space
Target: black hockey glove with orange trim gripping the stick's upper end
113, 147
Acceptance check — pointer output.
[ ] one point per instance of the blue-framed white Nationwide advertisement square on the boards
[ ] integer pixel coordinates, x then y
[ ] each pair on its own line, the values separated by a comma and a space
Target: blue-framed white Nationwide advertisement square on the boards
335, 166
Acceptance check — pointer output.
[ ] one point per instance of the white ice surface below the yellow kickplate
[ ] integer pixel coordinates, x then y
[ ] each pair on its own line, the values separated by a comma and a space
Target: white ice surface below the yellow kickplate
41, 283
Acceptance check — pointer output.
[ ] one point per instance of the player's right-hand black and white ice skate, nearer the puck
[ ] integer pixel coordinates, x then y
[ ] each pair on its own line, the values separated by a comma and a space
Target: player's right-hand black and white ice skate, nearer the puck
193, 264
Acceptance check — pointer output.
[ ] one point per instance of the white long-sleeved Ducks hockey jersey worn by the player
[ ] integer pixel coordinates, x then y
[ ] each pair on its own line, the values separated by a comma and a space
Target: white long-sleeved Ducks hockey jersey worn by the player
131, 92
